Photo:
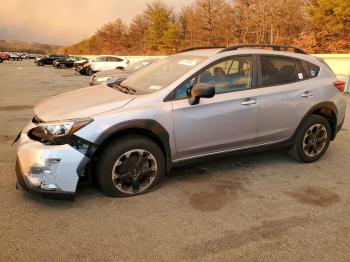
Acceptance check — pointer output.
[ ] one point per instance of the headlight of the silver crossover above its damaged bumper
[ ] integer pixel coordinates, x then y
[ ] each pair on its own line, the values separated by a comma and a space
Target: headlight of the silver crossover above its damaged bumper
58, 130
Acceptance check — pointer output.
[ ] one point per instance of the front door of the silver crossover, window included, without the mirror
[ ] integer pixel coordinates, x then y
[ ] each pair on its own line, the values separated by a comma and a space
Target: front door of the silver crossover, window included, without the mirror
224, 122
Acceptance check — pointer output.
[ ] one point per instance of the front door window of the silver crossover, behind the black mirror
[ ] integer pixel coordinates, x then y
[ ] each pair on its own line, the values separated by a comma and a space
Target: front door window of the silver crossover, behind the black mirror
229, 75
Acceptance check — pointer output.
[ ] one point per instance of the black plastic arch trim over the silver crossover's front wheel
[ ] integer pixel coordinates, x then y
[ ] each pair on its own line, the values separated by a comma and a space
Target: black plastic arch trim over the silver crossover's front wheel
148, 125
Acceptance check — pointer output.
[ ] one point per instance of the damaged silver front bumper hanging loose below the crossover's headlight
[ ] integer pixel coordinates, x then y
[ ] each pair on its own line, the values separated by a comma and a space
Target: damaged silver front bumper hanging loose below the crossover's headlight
48, 170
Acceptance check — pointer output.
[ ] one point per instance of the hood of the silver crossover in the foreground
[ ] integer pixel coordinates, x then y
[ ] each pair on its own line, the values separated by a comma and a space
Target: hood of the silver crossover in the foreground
81, 103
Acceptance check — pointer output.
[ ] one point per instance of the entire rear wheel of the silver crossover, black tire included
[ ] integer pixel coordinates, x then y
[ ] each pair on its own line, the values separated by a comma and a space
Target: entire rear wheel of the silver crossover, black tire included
302, 153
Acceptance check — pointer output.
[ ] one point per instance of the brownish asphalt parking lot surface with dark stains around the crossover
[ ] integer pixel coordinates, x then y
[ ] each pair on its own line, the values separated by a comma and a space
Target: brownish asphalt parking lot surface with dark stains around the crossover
257, 207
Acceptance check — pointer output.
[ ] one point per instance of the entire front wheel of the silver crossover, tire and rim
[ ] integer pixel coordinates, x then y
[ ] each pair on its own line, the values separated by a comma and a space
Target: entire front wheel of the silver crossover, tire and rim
129, 166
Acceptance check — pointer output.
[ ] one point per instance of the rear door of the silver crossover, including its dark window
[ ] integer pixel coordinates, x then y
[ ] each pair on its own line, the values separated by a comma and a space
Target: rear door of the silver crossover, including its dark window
285, 95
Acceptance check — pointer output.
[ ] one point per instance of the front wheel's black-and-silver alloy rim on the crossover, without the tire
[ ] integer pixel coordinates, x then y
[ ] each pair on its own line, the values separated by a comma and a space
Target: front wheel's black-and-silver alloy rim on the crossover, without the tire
134, 171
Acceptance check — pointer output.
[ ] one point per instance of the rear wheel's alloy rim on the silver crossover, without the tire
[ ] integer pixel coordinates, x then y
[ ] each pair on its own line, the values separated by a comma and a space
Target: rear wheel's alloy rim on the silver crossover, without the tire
315, 140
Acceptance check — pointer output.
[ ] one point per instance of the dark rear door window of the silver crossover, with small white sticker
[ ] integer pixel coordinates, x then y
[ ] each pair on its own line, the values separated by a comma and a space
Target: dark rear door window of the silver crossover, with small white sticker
277, 70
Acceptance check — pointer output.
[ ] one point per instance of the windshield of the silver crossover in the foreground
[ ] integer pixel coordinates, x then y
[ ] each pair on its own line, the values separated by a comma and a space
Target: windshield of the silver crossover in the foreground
159, 75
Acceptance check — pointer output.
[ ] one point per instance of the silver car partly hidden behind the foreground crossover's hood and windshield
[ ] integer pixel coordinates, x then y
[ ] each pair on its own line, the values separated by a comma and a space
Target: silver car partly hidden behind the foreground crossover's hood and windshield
113, 75
